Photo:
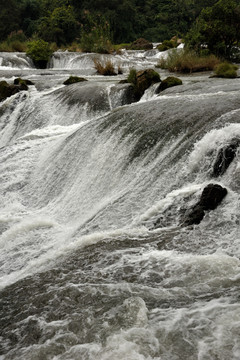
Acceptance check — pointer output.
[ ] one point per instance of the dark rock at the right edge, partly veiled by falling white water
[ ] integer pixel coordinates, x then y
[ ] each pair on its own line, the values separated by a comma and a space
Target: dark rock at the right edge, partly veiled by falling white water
224, 158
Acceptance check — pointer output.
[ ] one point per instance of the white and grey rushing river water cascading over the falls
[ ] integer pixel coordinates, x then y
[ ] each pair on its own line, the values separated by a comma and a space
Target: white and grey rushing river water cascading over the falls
95, 263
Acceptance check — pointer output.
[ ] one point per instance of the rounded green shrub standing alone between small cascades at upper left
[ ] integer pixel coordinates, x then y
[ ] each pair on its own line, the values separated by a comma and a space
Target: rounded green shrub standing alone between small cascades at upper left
40, 52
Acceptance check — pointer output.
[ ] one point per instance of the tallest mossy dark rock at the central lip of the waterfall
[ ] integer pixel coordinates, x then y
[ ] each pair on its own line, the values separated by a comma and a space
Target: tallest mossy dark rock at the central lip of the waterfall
142, 80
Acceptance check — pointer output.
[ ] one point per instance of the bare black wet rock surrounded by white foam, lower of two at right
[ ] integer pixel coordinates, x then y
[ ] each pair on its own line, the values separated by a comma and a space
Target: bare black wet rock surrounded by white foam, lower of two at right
211, 197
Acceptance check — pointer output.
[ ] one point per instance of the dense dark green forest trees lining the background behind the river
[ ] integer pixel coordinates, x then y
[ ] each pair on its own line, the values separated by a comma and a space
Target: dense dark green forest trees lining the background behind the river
96, 23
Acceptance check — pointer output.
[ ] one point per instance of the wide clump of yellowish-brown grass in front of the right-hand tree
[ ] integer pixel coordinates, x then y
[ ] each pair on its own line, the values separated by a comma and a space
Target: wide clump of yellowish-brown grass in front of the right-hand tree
188, 61
